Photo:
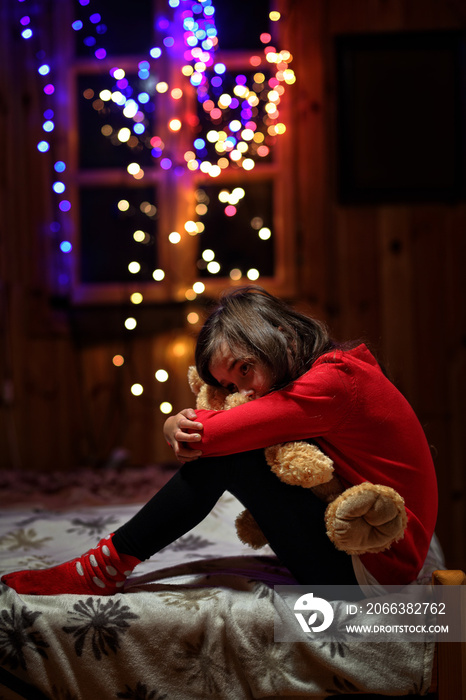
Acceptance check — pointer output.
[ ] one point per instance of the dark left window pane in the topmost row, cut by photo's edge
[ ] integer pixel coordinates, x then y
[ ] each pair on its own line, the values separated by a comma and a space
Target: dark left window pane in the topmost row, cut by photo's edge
123, 28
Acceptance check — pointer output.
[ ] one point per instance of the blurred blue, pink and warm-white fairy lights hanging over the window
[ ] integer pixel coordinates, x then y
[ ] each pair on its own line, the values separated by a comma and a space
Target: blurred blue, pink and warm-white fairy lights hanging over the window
236, 127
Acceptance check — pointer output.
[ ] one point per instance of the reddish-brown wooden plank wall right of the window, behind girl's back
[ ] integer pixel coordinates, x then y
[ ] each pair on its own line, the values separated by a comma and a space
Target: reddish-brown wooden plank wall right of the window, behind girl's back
393, 275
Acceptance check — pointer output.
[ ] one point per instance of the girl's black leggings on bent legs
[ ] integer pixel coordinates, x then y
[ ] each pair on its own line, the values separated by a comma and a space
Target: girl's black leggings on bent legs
291, 517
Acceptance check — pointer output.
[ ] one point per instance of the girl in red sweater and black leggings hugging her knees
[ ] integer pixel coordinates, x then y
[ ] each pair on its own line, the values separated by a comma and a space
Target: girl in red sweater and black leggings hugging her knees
304, 386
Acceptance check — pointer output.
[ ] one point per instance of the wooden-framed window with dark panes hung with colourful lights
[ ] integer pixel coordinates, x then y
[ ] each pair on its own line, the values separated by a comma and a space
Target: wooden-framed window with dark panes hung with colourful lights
177, 149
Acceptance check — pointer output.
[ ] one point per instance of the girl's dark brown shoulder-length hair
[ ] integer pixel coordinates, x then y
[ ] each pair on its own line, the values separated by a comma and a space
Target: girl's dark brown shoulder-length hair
256, 325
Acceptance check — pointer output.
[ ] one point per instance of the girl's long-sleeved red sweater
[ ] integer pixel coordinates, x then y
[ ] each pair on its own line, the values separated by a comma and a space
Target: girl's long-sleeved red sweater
363, 423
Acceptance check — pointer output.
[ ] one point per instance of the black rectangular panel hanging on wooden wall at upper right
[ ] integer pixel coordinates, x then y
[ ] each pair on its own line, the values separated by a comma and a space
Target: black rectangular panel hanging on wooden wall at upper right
400, 117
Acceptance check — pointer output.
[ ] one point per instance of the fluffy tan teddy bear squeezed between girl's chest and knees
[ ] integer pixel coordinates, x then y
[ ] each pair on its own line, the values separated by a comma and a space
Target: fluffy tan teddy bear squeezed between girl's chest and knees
360, 519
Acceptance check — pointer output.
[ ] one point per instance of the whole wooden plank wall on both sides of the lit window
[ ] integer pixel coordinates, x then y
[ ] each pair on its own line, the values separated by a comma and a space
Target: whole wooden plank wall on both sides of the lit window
392, 275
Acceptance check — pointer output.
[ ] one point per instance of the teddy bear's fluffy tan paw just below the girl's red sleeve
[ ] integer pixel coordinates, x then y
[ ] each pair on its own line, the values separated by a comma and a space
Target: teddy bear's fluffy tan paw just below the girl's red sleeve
299, 463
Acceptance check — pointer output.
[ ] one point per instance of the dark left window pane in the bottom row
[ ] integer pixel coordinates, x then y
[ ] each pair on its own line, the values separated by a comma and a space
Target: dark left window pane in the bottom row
107, 241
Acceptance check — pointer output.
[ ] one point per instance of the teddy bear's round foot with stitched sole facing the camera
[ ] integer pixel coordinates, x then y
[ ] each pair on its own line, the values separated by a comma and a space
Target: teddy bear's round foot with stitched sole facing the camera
366, 518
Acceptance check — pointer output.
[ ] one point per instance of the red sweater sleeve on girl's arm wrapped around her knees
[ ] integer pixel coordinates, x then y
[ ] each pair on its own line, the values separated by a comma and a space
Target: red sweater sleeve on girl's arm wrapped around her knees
315, 404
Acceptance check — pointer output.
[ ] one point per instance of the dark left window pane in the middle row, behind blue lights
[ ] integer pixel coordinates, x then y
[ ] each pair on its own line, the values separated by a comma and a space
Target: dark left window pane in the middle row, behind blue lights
101, 120
